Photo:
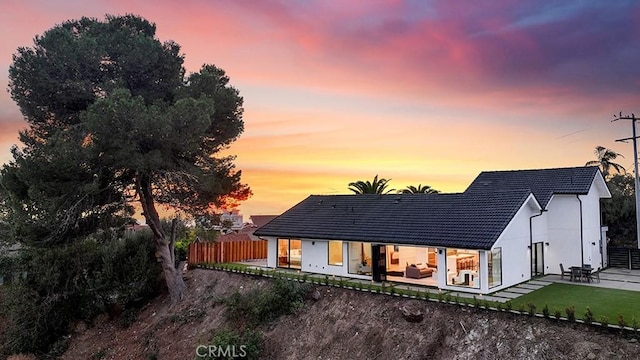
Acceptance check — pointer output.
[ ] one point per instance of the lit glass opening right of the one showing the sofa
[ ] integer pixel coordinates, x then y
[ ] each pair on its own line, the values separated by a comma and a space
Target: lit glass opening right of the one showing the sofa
462, 268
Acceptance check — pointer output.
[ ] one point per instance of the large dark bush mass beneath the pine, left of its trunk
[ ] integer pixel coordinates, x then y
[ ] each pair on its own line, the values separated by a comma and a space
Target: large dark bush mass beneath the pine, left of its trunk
74, 282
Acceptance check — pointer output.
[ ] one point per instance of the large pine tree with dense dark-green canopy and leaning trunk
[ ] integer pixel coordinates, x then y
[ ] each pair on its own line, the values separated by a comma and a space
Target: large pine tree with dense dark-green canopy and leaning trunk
113, 119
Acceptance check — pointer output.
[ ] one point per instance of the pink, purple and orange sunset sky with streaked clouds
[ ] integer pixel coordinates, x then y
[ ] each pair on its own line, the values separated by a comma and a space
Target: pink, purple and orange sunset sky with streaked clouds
420, 92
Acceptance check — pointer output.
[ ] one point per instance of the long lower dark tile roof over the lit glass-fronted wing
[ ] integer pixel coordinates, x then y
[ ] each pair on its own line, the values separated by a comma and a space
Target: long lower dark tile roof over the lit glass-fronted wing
466, 220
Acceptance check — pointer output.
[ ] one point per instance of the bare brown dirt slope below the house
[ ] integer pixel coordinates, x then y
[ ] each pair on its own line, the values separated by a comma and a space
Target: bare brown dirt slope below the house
345, 324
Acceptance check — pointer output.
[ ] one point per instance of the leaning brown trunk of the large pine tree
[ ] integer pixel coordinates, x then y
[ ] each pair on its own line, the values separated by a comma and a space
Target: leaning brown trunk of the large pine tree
172, 276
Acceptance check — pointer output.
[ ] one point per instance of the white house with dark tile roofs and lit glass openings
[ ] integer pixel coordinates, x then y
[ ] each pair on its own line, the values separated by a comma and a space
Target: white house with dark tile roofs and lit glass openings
505, 228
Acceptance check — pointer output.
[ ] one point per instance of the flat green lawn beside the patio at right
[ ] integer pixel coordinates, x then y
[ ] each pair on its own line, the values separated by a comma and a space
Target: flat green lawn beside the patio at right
601, 301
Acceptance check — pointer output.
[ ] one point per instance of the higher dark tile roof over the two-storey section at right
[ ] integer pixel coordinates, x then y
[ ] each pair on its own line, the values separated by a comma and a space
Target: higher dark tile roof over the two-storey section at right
543, 183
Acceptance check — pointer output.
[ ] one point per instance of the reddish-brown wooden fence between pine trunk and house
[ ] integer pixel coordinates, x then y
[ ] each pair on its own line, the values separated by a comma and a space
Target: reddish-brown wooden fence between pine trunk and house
227, 251
